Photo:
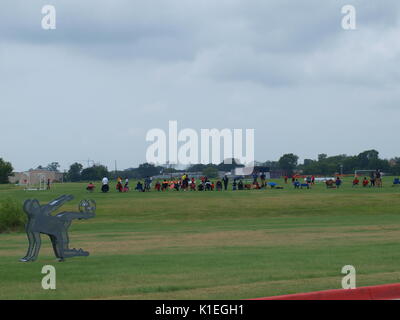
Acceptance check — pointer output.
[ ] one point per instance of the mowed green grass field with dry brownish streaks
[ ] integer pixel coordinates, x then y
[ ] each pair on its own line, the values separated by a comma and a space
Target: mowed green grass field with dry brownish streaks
212, 245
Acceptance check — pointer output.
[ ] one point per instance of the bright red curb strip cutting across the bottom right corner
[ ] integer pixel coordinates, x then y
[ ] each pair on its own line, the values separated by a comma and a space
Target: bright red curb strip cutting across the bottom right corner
384, 292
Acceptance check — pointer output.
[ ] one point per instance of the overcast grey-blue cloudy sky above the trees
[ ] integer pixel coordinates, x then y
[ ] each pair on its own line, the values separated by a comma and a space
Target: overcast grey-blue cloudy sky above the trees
113, 70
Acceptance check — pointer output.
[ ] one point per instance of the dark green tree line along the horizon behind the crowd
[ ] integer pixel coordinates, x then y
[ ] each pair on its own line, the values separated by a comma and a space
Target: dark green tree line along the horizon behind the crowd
287, 164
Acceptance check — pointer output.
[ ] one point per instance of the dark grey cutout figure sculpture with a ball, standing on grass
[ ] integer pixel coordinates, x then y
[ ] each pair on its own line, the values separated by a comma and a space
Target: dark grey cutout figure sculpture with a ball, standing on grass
56, 227
